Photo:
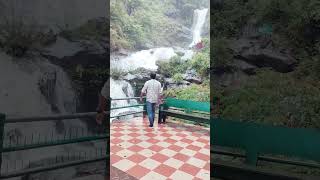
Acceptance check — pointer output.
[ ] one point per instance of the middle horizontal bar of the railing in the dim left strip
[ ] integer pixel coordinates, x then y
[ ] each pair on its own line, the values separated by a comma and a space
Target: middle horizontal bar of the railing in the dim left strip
55, 143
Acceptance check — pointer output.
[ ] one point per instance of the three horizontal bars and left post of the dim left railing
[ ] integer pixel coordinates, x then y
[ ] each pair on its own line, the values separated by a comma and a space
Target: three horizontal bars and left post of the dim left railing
3, 149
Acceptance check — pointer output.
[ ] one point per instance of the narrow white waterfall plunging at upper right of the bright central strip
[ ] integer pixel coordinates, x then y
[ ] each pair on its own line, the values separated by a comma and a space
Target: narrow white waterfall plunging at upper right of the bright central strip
198, 22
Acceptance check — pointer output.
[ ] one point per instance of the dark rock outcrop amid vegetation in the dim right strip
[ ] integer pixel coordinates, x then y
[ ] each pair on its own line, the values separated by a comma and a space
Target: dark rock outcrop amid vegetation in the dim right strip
249, 55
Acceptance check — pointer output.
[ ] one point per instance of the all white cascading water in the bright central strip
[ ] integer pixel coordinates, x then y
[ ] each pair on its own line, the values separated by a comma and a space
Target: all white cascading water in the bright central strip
147, 59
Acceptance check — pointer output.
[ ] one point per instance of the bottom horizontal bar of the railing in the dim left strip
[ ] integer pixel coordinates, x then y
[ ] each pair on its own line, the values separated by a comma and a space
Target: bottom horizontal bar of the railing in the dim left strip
59, 166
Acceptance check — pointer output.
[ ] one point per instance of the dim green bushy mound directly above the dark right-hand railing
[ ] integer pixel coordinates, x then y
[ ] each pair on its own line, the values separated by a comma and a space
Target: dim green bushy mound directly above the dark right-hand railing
275, 98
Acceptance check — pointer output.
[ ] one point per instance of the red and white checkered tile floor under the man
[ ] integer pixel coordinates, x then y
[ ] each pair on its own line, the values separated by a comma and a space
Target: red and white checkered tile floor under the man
170, 151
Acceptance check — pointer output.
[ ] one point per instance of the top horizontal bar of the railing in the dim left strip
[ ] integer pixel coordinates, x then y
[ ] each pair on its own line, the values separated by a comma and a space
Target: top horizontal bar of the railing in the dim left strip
49, 118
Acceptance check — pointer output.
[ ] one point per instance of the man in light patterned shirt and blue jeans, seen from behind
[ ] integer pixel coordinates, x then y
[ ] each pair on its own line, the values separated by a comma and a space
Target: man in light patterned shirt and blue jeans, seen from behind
152, 89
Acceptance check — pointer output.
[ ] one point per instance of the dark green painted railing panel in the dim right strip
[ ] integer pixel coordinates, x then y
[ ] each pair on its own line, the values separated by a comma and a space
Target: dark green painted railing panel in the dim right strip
259, 140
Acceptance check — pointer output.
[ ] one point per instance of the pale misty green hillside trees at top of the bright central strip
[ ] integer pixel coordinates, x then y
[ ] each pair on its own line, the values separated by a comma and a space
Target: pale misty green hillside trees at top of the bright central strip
136, 23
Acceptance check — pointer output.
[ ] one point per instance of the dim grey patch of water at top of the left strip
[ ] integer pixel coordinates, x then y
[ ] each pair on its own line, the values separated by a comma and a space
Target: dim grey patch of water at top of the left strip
55, 14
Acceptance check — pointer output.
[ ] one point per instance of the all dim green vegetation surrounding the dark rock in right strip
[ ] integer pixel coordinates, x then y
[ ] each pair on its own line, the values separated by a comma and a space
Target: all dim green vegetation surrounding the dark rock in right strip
290, 99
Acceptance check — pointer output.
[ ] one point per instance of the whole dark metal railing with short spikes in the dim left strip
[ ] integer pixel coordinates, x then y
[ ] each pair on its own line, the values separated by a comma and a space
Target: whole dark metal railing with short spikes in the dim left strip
73, 136
